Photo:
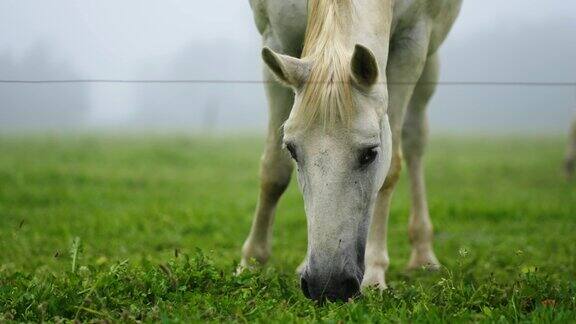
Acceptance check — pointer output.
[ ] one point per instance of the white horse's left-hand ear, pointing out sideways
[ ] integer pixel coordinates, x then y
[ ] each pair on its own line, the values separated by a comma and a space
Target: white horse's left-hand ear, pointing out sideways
288, 70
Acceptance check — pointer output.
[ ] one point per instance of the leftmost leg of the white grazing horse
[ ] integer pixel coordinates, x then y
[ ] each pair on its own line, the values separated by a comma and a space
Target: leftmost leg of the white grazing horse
275, 172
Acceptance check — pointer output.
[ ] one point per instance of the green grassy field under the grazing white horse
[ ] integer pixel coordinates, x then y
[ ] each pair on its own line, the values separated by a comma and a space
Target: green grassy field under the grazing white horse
128, 228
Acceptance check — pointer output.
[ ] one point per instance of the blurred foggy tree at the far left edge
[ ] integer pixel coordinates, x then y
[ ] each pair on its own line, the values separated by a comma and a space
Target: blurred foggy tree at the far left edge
40, 106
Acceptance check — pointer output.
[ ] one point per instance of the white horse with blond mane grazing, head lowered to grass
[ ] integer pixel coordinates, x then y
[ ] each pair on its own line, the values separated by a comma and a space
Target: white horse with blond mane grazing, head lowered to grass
348, 82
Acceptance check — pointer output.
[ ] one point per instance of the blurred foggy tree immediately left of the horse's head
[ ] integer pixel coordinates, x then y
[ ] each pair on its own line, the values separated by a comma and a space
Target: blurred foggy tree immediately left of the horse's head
204, 106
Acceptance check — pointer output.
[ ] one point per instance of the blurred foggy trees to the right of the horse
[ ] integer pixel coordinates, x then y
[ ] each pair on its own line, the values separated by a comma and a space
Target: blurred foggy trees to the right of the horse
532, 53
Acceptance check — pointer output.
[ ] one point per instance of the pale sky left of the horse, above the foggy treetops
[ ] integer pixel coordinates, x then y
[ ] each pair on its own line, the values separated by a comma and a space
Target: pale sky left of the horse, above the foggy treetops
111, 38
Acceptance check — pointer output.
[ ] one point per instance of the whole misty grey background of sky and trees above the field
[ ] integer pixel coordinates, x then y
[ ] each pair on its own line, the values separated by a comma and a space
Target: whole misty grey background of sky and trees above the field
493, 41
